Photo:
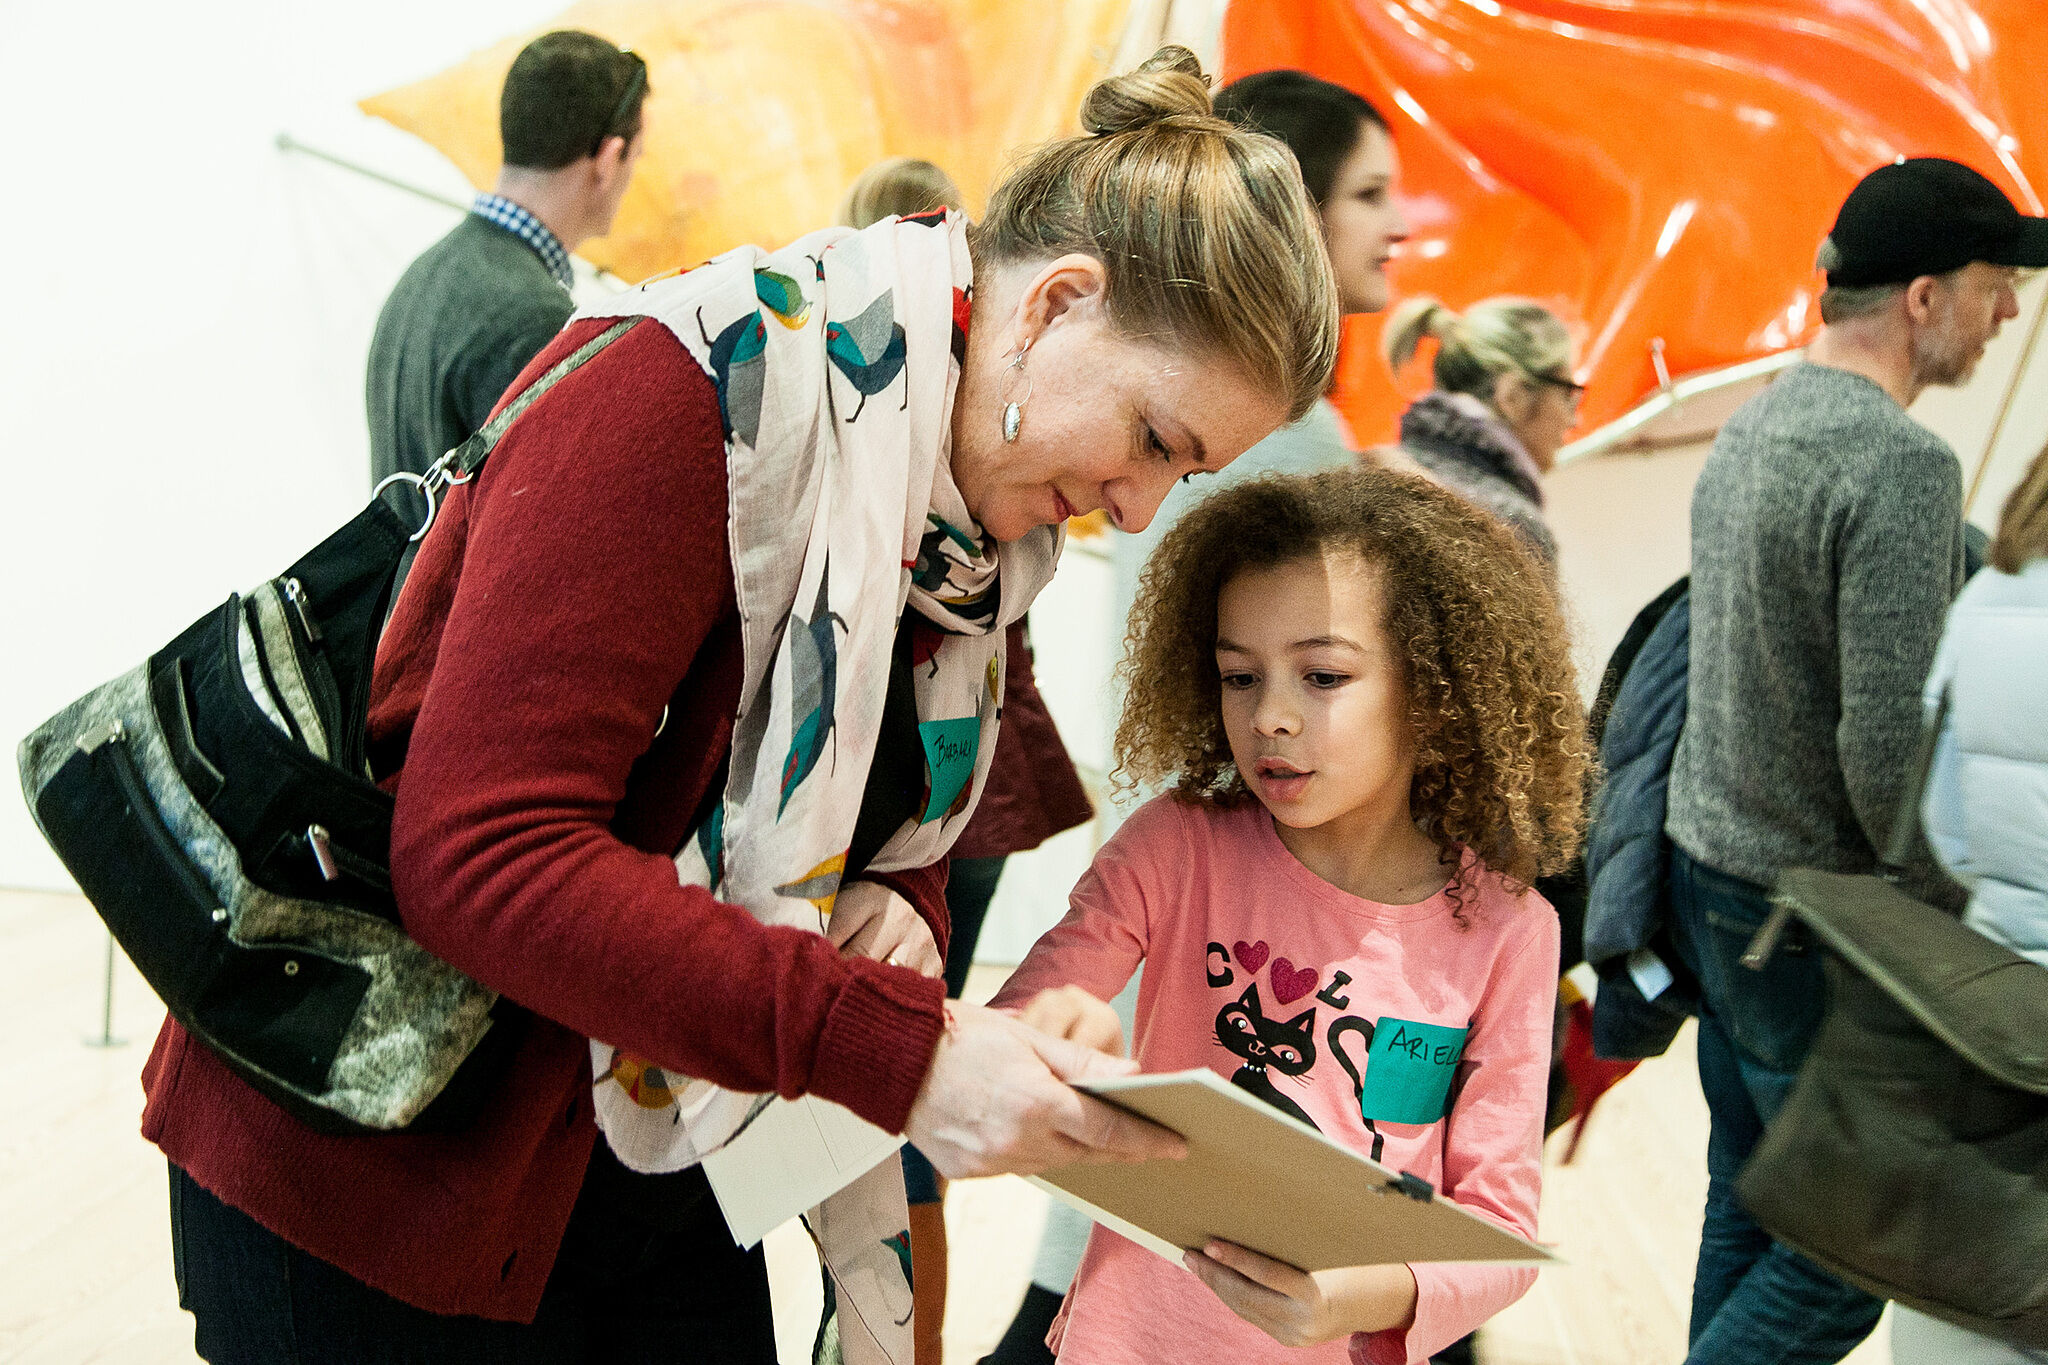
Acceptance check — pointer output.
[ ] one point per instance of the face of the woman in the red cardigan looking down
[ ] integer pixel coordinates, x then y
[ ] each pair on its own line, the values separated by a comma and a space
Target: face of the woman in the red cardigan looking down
1109, 423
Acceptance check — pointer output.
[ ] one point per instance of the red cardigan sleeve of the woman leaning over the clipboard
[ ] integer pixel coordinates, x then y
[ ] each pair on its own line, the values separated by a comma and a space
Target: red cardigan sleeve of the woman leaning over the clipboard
593, 572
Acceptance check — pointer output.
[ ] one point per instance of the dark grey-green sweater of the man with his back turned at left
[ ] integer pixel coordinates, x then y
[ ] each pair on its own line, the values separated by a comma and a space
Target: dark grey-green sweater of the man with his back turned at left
458, 331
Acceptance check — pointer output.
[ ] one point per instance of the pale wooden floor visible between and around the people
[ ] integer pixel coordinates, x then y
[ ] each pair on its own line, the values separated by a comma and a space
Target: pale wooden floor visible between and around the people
85, 1251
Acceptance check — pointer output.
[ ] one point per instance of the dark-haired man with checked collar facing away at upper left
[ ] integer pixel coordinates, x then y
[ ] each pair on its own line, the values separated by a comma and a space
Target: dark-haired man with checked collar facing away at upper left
480, 304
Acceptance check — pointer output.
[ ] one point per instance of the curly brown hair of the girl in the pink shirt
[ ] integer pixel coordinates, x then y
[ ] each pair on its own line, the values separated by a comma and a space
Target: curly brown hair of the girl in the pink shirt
1502, 752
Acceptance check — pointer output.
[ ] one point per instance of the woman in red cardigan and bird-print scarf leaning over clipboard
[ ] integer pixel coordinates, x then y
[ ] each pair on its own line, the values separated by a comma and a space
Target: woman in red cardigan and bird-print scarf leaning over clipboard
685, 699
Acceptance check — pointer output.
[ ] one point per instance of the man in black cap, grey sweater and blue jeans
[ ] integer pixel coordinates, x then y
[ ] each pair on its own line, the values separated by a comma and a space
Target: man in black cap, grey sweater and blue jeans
1826, 549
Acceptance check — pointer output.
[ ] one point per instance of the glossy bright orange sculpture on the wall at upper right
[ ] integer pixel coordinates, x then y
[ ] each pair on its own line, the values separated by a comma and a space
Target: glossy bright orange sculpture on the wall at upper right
1658, 171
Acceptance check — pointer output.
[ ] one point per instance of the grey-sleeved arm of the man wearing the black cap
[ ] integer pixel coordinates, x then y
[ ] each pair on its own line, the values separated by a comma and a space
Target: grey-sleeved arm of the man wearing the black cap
1897, 560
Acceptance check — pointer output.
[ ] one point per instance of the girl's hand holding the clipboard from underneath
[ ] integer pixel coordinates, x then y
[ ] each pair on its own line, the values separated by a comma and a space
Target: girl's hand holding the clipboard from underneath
1299, 1309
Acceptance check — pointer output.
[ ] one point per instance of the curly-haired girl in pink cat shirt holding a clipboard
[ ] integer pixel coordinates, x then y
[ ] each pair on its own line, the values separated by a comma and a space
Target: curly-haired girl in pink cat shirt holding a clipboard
1361, 697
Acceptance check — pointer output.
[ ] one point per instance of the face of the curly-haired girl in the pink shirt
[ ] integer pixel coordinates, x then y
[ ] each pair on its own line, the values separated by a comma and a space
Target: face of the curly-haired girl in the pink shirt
1314, 693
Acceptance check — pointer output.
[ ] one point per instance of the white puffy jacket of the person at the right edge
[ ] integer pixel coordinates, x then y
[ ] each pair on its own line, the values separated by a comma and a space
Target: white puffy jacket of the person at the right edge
1988, 795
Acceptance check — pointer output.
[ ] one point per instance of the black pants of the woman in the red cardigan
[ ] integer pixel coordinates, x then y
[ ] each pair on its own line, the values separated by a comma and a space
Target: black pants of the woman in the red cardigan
624, 1290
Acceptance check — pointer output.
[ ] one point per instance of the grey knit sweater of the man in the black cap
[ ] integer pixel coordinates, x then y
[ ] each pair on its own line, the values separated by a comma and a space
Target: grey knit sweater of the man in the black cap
1826, 549
